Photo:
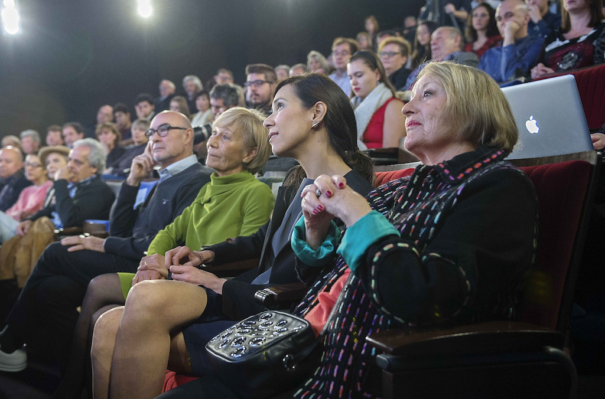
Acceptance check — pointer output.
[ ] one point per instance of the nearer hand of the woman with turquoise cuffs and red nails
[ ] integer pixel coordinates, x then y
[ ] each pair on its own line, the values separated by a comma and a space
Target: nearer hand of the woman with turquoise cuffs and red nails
342, 202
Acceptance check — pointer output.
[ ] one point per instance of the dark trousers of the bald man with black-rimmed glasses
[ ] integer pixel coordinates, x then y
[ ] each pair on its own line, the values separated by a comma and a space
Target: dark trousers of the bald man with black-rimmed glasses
55, 289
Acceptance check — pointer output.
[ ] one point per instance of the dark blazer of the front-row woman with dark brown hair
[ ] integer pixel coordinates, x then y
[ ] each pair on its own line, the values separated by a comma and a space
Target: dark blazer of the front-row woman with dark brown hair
238, 293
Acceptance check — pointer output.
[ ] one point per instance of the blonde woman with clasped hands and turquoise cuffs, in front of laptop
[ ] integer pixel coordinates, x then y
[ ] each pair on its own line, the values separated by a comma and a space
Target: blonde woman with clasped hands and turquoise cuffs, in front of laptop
448, 245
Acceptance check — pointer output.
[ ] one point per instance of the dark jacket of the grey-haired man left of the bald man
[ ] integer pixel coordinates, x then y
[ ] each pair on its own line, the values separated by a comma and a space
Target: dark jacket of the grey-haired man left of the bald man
92, 201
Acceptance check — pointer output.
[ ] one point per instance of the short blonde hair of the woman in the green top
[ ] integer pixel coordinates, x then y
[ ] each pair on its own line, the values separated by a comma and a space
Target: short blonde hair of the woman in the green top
249, 124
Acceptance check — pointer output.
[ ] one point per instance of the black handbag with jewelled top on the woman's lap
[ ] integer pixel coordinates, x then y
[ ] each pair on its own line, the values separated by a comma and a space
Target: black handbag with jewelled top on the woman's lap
265, 354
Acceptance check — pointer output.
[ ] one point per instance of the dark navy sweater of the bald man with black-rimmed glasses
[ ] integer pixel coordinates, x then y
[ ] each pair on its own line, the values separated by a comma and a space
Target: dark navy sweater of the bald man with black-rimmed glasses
132, 230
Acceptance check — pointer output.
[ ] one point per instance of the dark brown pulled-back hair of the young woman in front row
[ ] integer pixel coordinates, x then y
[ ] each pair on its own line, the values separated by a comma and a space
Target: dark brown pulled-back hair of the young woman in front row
339, 123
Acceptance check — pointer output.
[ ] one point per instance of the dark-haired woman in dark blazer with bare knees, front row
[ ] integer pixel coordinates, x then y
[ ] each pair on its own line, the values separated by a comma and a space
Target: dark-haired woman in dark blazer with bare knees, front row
313, 122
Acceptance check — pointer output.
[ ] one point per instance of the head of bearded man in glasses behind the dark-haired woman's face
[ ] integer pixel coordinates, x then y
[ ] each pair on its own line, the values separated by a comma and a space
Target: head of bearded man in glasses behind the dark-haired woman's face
260, 87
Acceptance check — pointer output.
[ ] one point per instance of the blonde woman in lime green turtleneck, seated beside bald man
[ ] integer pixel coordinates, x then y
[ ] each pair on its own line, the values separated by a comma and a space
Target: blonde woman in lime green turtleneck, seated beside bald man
234, 203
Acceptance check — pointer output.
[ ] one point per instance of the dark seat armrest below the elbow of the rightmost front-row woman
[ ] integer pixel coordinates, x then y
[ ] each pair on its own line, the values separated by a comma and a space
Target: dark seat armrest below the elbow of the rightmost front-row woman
489, 337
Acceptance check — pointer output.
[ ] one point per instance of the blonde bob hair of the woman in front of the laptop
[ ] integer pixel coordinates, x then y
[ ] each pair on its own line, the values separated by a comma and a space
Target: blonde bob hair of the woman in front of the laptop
479, 112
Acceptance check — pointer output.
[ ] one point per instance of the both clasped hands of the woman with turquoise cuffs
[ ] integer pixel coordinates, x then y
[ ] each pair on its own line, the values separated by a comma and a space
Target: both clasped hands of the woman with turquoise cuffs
328, 198
